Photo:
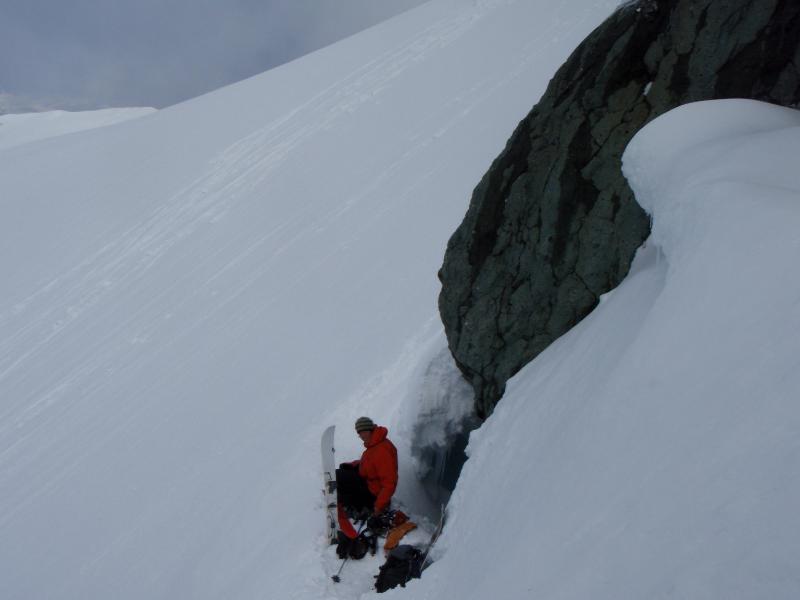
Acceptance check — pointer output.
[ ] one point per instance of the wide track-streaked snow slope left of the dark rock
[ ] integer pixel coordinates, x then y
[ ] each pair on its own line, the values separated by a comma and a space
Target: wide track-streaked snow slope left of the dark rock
189, 298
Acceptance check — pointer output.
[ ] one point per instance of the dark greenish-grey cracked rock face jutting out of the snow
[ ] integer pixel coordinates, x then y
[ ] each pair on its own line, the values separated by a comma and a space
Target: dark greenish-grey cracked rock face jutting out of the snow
553, 224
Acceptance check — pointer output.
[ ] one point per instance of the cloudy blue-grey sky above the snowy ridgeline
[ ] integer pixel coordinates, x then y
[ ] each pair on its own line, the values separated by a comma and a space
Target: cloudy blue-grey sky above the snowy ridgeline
96, 53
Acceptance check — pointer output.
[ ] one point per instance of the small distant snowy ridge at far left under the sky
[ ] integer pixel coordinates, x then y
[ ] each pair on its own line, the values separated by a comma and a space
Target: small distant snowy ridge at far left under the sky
29, 127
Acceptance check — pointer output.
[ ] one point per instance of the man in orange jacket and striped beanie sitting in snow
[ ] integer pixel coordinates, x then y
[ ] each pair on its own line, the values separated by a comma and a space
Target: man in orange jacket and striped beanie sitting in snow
367, 485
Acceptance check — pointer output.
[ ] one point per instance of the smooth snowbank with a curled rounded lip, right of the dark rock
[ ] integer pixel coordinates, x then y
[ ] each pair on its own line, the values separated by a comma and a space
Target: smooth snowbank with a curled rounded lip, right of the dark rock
652, 452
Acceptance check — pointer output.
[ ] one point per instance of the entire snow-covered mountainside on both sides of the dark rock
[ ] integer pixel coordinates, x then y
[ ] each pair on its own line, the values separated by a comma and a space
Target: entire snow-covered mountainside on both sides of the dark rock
192, 296
